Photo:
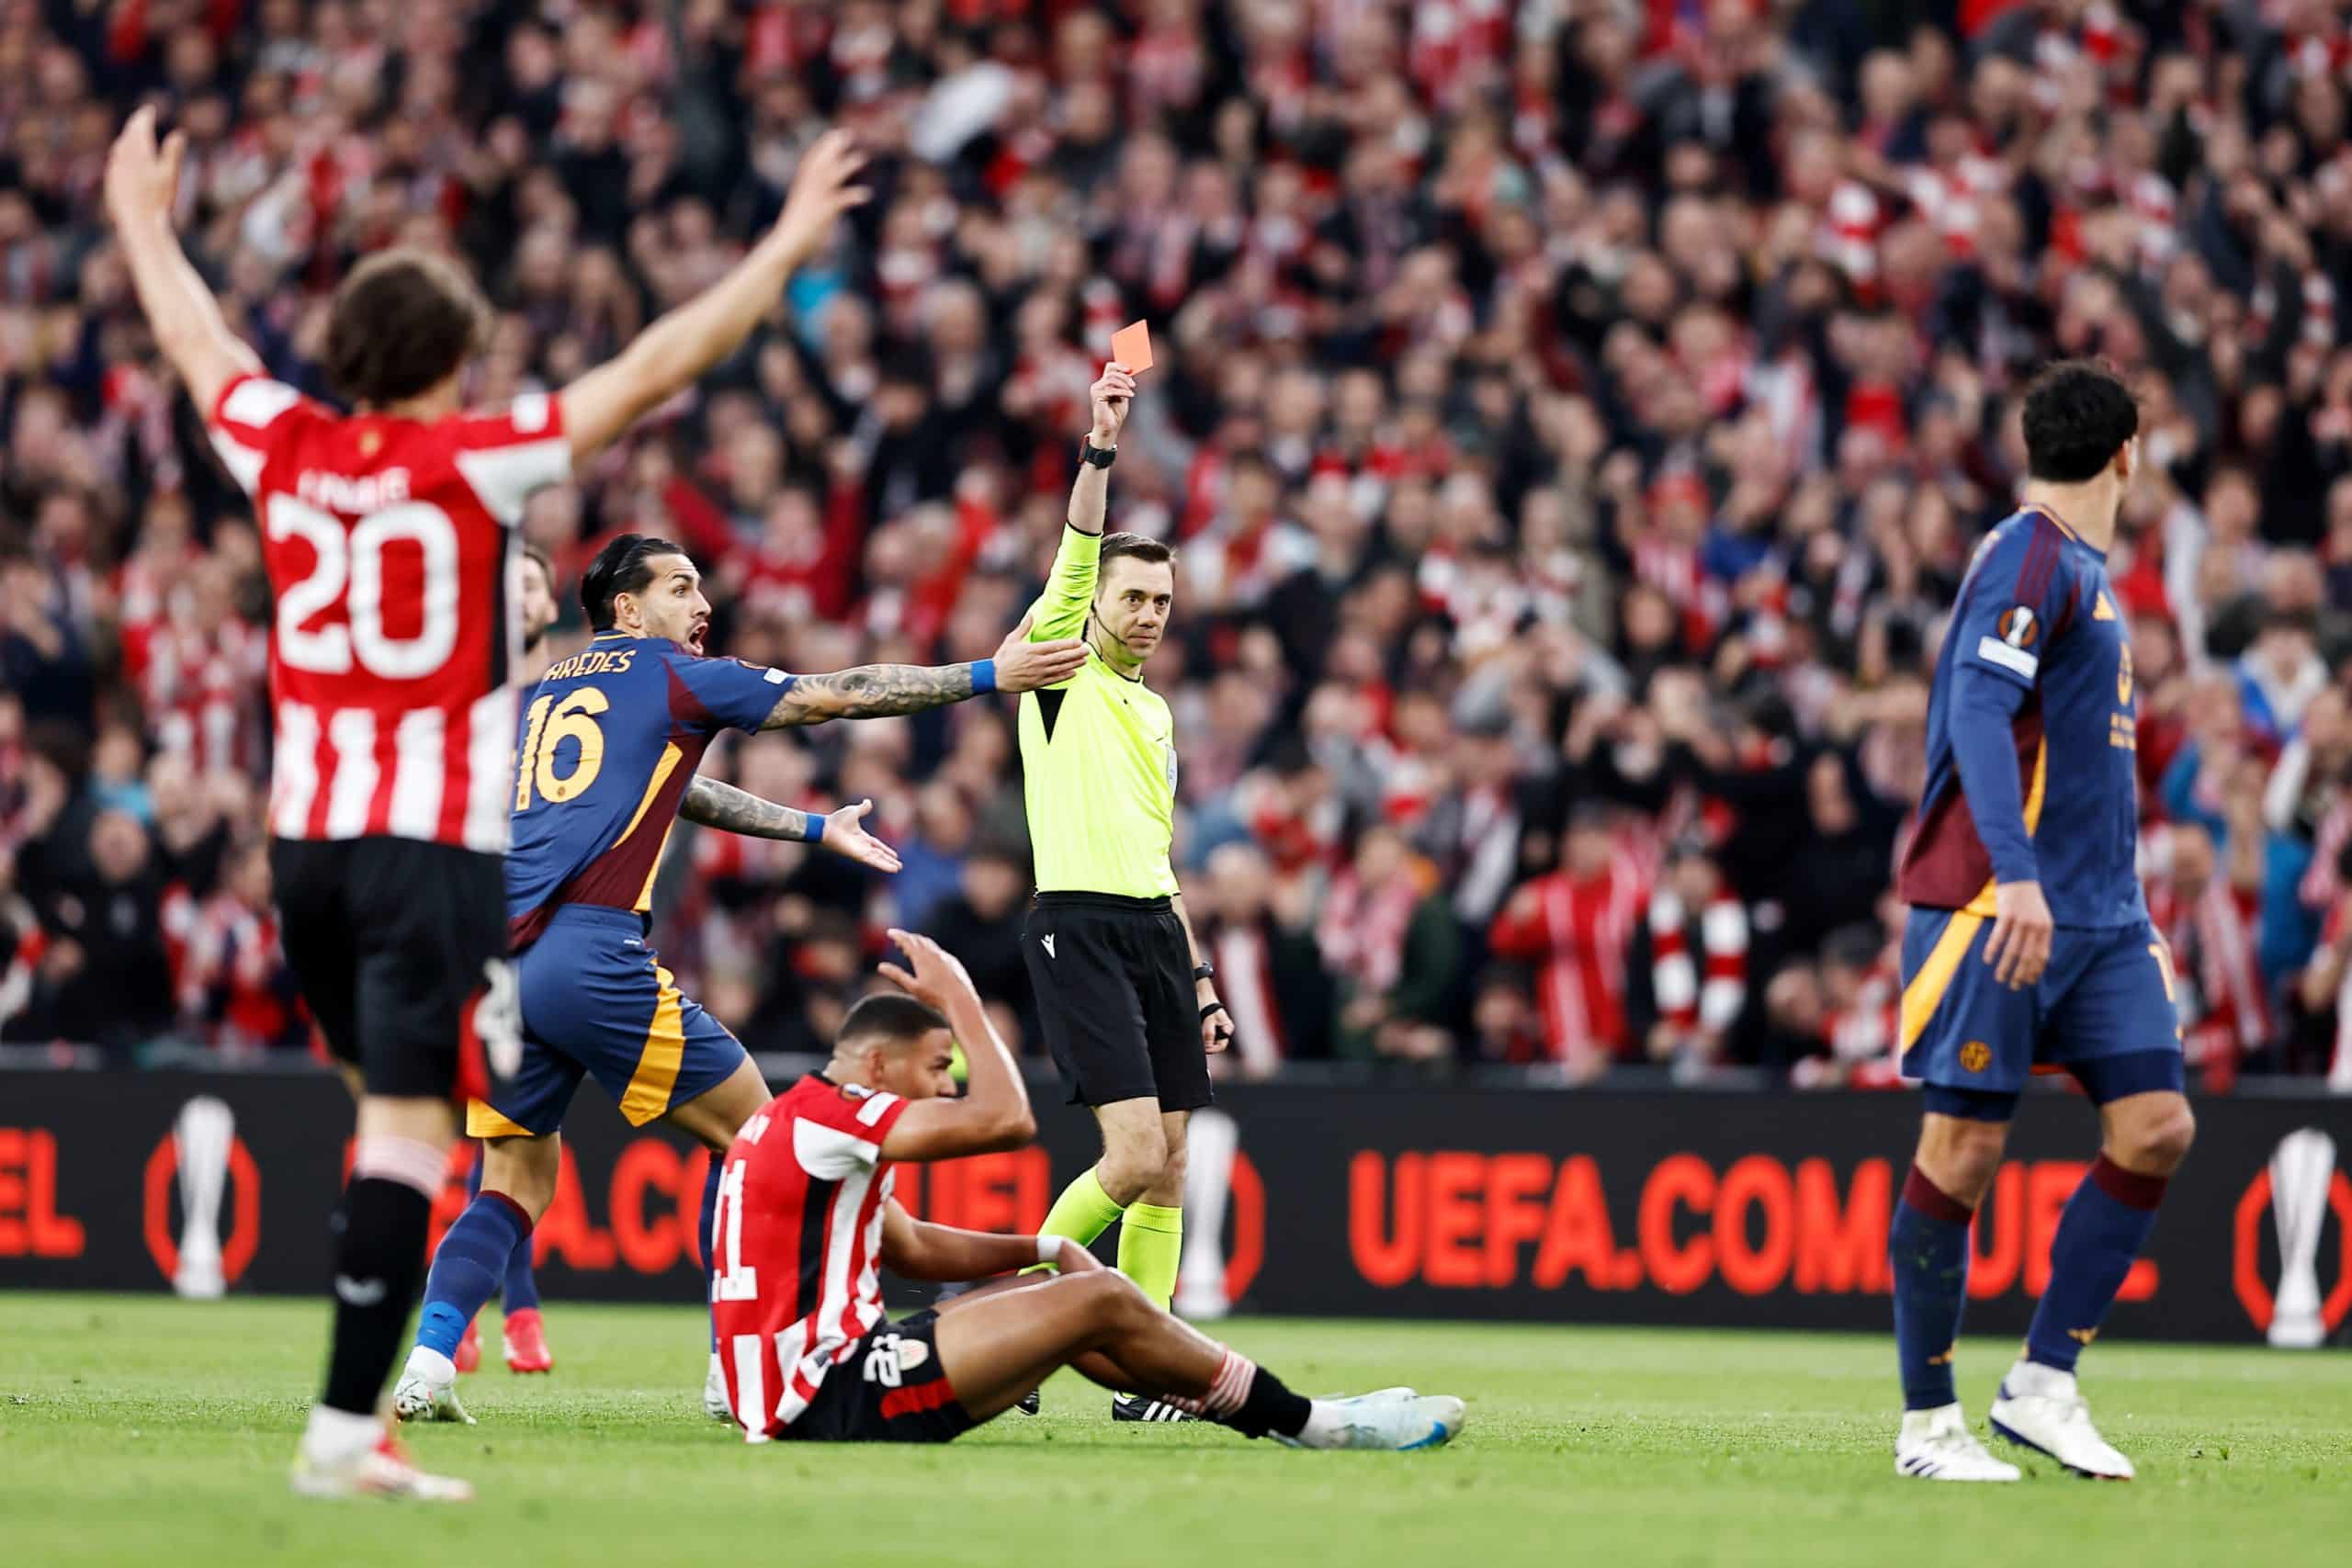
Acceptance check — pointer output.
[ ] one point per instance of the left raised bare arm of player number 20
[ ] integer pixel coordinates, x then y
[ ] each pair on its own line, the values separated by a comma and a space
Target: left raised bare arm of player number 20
142, 185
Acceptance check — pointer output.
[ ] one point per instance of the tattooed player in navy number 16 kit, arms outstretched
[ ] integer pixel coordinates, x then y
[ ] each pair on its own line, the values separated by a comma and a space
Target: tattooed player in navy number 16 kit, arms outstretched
608, 763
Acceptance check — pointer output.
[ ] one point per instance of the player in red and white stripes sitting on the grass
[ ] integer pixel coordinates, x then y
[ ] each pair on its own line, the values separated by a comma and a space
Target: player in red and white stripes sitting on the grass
808, 1214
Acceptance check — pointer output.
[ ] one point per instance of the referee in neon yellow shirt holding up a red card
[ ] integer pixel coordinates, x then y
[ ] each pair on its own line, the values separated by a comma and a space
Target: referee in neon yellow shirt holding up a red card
1128, 1005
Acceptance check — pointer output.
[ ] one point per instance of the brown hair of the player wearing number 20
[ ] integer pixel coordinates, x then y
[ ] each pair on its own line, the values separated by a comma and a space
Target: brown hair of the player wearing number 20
406, 321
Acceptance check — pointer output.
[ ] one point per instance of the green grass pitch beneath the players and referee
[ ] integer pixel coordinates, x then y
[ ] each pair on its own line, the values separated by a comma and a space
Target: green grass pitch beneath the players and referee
149, 1430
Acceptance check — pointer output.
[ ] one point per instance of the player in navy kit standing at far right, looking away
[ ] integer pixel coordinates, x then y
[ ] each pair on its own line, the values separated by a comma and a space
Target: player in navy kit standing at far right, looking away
2031, 786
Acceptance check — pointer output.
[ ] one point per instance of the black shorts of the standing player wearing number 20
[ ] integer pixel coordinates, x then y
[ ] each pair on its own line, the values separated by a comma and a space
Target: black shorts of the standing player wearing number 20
401, 953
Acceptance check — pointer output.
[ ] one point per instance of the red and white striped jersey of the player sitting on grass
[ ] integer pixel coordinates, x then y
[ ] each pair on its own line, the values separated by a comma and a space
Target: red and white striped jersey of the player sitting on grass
799, 1247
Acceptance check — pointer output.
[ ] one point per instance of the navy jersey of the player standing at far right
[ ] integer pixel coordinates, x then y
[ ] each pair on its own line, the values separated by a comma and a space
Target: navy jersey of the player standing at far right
2031, 744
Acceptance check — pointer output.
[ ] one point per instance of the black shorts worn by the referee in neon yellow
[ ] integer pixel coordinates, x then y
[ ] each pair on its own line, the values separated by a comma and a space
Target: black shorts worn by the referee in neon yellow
1116, 996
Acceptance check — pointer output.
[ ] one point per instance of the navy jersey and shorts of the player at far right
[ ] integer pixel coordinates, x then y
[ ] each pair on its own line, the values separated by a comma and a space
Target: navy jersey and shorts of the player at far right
2031, 777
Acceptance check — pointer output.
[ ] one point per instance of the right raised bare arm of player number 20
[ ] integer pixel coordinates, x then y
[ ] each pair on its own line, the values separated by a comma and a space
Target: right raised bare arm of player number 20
690, 340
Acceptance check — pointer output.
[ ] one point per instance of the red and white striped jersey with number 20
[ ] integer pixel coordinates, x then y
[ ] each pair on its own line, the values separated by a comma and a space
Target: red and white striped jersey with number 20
394, 641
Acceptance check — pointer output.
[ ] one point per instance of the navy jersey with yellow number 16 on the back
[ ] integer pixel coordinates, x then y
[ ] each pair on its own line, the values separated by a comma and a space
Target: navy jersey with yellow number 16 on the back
608, 744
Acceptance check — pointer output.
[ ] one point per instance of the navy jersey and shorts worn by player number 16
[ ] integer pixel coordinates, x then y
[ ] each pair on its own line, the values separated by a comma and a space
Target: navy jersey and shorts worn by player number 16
608, 746
